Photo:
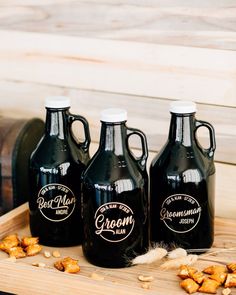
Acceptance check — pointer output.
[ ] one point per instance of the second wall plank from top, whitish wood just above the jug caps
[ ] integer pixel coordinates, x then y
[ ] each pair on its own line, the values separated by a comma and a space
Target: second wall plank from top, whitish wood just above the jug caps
171, 72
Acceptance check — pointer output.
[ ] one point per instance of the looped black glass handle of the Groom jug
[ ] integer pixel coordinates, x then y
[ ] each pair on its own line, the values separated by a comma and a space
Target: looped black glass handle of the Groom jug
143, 158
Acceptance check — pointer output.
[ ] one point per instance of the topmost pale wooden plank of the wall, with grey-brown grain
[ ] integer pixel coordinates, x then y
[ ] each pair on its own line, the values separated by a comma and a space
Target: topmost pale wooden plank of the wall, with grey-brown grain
209, 24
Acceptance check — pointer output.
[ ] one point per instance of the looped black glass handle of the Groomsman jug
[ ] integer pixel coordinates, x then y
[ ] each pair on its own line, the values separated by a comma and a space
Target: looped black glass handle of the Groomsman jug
210, 151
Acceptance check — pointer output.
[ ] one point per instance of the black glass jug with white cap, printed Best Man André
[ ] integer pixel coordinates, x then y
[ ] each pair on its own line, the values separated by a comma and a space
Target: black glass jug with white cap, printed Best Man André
56, 166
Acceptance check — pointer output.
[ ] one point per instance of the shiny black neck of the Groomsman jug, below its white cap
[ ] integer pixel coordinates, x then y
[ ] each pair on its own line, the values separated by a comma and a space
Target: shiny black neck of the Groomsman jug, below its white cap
182, 128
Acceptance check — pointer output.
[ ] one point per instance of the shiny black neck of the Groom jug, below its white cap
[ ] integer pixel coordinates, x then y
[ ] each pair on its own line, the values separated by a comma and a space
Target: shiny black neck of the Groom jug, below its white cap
113, 137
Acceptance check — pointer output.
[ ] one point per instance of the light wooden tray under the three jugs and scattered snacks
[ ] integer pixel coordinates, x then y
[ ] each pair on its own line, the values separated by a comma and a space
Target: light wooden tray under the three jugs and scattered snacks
21, 277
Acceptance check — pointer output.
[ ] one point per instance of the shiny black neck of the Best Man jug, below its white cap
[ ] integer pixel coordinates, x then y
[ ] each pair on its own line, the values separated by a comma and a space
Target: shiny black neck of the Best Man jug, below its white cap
56, 122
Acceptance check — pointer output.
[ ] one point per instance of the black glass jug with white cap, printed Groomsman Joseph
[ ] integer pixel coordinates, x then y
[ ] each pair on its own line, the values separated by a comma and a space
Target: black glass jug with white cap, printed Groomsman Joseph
182, 180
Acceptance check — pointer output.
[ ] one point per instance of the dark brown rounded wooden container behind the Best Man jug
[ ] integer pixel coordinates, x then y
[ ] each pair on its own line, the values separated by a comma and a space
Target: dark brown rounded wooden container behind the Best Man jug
18, 138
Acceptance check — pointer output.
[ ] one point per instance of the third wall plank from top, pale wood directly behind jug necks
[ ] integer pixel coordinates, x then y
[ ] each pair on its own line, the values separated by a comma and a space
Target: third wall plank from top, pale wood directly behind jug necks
147, 113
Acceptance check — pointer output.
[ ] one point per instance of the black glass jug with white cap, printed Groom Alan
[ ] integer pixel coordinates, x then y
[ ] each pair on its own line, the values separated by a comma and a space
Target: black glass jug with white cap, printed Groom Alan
115, 196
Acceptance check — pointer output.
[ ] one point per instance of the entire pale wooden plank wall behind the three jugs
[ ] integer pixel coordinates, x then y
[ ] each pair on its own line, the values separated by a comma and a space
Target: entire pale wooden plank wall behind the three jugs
139, 55
